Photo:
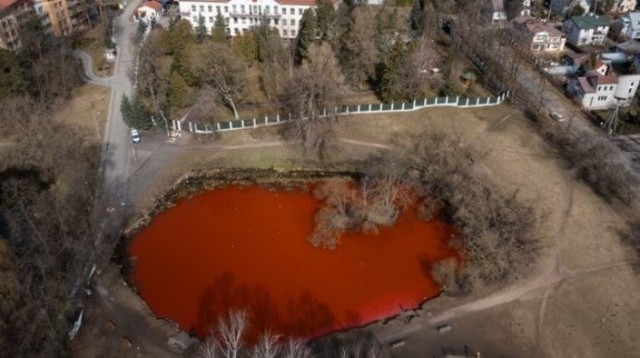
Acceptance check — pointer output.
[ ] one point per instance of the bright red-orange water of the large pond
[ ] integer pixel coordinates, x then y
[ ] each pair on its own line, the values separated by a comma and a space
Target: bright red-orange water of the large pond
246, 247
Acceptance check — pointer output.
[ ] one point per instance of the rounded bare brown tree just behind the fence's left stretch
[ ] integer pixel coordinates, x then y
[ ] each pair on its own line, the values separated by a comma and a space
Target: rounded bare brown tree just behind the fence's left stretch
217, 65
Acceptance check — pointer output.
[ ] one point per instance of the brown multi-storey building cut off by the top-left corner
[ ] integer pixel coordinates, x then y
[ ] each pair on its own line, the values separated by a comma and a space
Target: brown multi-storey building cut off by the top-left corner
12, 14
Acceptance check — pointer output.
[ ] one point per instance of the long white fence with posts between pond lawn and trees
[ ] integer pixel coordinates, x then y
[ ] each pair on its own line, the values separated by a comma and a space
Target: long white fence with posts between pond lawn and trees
450, 101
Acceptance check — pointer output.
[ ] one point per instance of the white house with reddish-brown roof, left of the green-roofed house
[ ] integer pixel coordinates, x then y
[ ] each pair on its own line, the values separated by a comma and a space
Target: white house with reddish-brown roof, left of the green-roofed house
541, 36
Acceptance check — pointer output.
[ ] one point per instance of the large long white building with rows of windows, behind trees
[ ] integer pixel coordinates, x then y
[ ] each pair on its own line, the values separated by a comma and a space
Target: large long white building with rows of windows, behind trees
241, 15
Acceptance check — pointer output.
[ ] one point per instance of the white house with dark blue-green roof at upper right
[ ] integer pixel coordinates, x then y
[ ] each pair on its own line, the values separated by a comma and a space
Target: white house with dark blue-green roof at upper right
586, 30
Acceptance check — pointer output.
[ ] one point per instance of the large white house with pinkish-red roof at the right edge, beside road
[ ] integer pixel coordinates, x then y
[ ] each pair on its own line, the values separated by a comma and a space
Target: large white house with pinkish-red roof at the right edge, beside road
602, 89
